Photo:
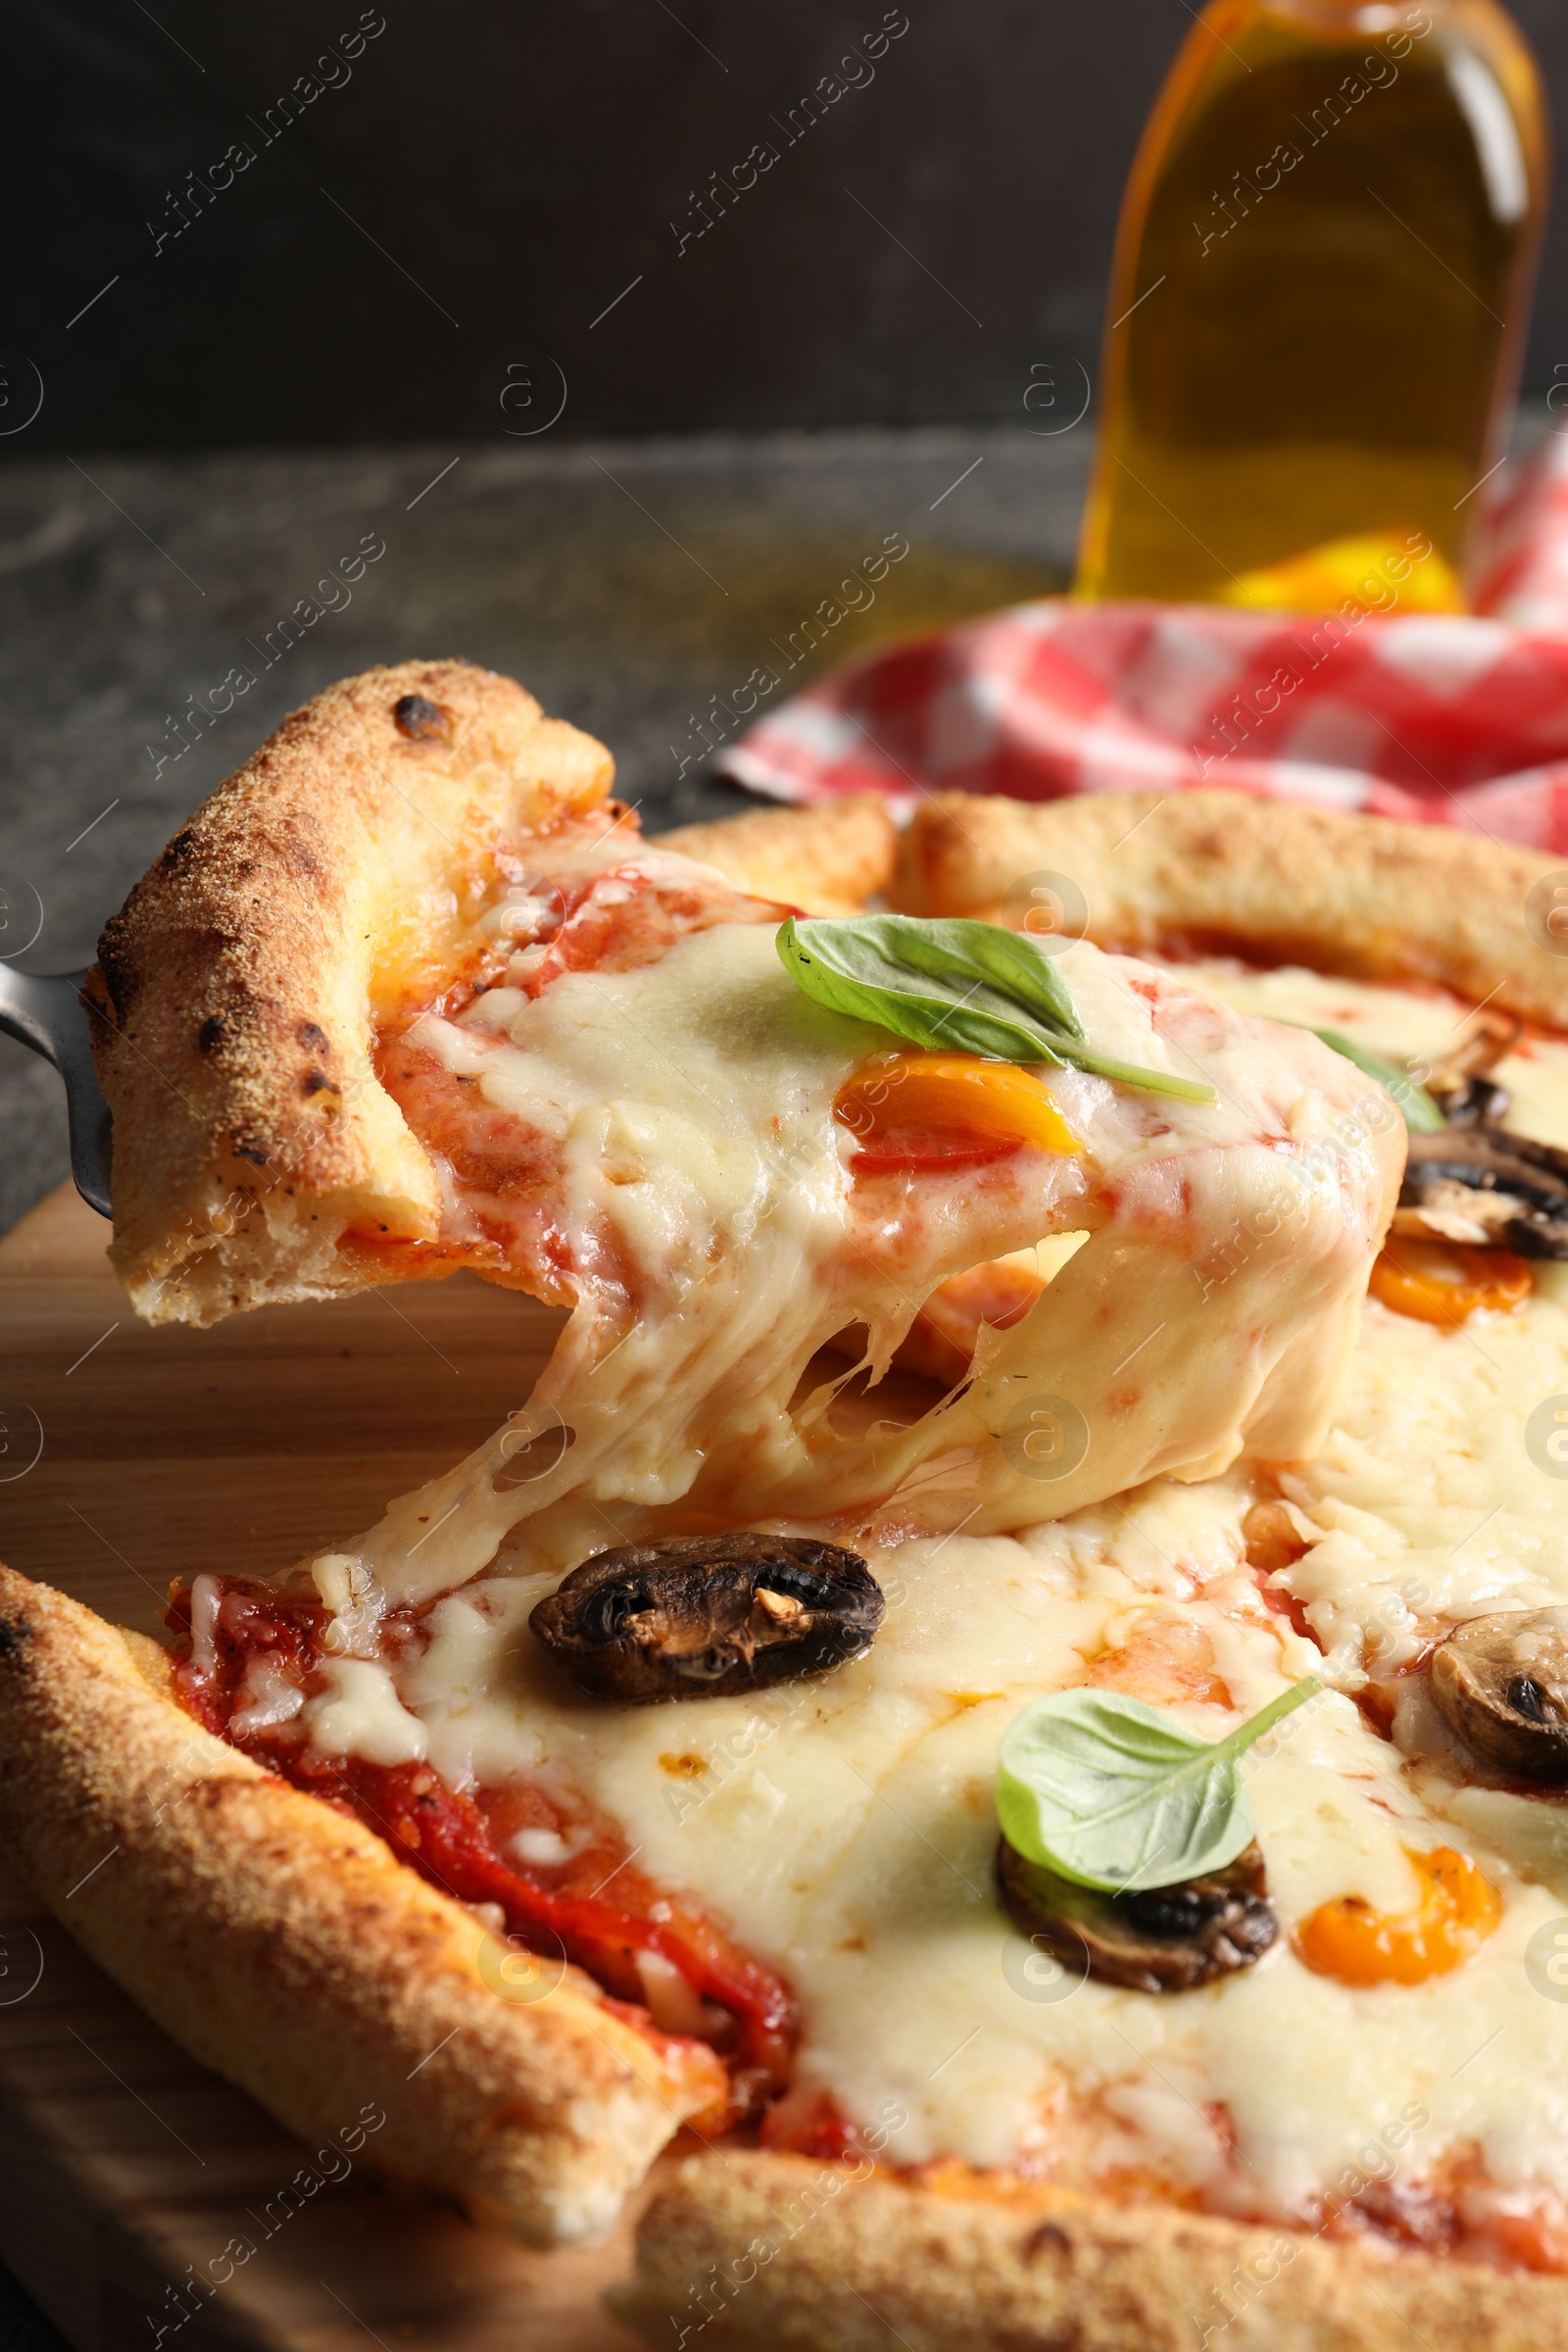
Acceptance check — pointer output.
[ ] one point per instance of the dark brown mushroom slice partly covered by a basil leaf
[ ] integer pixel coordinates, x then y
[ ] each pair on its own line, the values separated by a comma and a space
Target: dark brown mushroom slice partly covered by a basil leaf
1162, 1939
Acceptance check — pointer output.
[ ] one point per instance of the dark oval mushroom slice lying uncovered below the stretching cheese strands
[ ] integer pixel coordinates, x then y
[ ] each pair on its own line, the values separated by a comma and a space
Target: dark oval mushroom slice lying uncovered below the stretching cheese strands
709, 1615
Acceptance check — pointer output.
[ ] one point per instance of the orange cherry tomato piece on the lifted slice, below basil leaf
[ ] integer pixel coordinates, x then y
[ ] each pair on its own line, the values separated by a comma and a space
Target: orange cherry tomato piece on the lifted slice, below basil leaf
946, 1111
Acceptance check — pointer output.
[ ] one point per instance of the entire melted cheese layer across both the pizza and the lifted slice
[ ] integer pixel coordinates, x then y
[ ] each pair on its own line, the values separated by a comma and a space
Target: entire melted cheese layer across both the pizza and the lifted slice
845, 1826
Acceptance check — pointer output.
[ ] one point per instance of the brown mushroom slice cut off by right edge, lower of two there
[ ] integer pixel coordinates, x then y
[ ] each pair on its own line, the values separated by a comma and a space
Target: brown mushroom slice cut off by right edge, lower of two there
1503, 1688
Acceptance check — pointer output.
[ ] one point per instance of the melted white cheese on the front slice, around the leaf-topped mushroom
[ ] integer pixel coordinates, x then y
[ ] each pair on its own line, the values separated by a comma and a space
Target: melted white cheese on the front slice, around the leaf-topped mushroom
847, 1831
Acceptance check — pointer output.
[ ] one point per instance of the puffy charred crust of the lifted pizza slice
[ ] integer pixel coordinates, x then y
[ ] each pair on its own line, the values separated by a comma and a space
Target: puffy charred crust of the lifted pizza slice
241, 982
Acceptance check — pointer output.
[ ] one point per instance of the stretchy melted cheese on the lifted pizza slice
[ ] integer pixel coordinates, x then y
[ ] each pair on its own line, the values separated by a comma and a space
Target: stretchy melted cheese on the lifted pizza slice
706, 1224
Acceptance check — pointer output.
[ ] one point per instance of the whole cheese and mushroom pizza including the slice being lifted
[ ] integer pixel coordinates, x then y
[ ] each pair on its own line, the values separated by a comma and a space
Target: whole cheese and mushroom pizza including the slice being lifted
1007, 1688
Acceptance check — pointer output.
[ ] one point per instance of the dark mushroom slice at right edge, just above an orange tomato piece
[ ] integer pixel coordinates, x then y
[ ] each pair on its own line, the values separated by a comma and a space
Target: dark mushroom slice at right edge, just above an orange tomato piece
1487, 1189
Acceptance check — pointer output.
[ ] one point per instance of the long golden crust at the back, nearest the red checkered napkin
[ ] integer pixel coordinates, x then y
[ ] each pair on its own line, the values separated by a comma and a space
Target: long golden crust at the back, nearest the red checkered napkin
1268, 878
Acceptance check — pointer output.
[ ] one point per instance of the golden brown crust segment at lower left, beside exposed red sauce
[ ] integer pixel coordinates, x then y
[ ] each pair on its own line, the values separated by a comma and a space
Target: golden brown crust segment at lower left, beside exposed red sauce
290, 1951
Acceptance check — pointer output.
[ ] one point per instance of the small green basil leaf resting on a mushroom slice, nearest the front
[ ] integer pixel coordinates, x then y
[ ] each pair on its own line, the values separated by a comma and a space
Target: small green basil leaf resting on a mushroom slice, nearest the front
1113, 1793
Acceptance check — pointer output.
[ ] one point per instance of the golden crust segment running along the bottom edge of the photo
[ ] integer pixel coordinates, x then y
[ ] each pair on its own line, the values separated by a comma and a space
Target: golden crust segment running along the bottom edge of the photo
779, 2254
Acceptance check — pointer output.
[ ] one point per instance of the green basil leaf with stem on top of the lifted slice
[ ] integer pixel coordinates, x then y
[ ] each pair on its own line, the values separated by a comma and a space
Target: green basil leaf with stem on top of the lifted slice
965, 987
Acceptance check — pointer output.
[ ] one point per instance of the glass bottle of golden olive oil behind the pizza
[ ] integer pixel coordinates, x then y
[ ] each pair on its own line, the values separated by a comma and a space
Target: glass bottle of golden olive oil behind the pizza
1318, 305
